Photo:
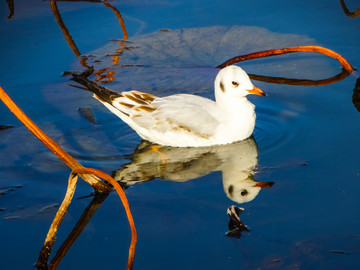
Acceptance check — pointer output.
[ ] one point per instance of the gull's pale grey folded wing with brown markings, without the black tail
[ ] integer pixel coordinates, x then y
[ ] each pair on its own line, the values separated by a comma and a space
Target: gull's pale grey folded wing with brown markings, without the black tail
182, 112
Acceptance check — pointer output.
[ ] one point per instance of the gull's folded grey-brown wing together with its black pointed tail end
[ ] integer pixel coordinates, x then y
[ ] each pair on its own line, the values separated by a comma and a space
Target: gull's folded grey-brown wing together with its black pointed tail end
144, 112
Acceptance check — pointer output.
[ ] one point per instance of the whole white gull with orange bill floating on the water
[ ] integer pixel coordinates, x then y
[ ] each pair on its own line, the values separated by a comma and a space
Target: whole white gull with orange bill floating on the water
187, 120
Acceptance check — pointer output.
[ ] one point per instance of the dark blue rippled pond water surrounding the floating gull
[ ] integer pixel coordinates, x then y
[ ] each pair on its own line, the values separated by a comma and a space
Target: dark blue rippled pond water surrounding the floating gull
307, 139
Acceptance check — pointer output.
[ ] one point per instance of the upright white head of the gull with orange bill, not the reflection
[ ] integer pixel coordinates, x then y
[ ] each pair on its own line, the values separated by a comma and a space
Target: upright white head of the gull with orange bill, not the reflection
233, 81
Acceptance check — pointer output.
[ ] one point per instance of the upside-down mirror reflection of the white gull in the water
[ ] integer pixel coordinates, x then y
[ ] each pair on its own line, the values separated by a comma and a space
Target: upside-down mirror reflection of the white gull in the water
237, 162
